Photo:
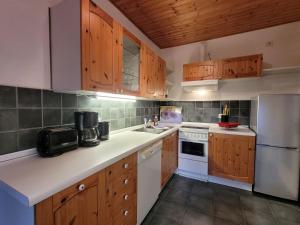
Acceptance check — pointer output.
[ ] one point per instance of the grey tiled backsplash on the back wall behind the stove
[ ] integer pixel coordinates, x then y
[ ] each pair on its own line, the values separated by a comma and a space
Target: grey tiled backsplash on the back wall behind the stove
207, 112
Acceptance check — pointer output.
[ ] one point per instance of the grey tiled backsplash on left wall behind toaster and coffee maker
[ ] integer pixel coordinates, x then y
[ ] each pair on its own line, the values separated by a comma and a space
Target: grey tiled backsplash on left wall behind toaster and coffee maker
24, 112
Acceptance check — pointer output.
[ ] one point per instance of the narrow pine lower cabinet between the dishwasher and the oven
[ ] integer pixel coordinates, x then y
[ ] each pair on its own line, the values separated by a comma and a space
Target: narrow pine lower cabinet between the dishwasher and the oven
169, 158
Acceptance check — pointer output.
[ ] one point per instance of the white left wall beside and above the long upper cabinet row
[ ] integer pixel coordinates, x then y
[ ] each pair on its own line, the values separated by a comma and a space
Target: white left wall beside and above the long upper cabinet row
24, 41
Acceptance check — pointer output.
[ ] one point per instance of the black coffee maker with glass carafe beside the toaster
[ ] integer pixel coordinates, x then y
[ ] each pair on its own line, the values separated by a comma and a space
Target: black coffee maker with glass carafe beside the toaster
86, 124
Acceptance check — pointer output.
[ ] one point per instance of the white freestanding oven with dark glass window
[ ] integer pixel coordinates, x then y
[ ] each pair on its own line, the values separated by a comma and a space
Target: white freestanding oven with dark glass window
193, 152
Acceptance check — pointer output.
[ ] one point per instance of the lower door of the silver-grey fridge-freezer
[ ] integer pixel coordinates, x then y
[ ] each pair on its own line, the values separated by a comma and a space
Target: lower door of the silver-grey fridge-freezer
277, 172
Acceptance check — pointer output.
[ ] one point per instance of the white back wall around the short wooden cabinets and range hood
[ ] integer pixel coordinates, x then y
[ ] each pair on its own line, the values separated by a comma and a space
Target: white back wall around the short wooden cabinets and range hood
283, 52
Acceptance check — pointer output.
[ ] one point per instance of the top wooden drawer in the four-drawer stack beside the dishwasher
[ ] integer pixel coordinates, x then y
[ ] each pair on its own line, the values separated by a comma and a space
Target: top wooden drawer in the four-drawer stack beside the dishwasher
121, 167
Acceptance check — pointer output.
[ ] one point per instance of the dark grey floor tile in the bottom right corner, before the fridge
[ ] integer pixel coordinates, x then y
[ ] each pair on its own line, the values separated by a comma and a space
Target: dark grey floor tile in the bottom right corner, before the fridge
286, 212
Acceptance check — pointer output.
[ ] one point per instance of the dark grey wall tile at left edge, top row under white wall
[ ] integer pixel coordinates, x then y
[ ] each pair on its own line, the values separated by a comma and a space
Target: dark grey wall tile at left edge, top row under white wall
8, 97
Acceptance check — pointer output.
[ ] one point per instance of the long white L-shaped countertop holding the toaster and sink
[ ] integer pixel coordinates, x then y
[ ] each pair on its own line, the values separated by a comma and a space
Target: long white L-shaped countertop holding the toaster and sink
33, 179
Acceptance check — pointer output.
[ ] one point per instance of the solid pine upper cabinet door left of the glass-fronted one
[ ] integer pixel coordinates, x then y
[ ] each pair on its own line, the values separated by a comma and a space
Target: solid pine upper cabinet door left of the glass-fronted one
97, 54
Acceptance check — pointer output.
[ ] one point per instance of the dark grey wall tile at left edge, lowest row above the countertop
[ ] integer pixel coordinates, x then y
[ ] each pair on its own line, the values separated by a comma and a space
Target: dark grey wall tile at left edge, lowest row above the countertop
8, 143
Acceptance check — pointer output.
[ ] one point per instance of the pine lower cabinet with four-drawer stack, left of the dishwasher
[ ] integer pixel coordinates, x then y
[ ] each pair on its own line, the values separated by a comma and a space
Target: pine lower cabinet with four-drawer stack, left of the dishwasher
105, 198
